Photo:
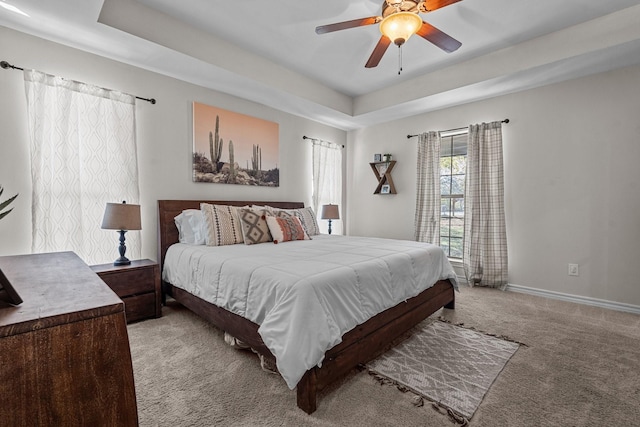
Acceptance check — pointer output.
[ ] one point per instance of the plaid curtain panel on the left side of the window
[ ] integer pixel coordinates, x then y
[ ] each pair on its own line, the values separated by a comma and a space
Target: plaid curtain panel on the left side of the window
427, 219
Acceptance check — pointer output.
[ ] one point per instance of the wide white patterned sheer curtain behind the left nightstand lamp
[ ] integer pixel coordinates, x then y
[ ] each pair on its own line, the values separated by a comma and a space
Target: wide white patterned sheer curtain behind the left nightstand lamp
83, 155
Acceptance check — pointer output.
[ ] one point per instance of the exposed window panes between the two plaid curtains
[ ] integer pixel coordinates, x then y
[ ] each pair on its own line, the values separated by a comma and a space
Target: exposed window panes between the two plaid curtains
453, 167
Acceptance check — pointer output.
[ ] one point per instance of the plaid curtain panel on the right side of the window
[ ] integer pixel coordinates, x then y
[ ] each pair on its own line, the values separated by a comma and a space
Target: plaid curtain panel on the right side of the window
485, 235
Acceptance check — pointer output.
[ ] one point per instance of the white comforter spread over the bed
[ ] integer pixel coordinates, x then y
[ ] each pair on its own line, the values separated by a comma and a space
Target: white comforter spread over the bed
306, 294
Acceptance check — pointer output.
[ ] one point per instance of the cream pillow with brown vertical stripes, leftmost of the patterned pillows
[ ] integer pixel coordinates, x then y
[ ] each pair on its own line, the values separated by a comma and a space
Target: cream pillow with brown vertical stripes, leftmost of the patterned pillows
223, 225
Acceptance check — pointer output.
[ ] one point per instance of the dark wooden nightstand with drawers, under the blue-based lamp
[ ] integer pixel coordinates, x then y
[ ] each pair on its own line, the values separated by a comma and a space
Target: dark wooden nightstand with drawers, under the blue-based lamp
137, 285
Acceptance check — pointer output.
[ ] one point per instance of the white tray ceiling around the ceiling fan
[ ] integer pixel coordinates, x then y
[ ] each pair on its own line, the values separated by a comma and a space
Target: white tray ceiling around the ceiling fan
268, 52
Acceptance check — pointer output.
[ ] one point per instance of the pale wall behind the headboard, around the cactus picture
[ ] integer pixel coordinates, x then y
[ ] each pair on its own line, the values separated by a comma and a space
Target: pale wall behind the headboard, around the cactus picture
163, 131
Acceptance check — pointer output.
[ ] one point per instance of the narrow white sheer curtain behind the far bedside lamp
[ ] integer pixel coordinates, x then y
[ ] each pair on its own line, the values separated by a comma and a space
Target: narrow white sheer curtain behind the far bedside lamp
327, 182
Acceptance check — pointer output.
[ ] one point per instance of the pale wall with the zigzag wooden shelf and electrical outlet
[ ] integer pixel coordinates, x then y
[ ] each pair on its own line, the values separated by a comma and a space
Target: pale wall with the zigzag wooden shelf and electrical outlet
572, 181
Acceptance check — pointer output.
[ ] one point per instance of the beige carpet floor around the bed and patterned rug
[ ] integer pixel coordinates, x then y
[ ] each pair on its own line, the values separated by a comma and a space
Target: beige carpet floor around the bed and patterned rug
580, 368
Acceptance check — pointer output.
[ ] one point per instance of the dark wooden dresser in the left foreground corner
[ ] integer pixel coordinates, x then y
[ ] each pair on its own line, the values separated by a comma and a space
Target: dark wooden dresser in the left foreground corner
64, 352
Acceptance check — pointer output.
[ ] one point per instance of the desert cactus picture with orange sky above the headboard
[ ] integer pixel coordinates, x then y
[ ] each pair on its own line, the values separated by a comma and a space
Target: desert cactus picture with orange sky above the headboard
232, 148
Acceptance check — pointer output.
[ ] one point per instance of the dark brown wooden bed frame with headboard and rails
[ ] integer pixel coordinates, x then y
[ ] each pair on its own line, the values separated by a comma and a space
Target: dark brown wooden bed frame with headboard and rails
358, 346
